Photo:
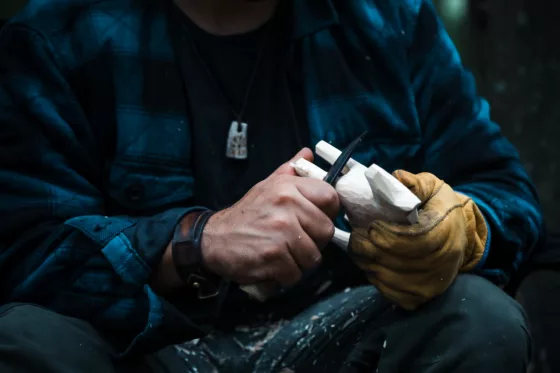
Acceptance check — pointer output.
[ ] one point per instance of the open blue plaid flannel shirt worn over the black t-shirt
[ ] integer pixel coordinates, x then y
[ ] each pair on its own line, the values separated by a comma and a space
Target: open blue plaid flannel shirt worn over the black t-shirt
95, 152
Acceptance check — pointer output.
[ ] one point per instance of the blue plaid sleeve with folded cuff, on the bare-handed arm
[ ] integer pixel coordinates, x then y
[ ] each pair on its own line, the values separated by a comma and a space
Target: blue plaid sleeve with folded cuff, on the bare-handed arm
57, 247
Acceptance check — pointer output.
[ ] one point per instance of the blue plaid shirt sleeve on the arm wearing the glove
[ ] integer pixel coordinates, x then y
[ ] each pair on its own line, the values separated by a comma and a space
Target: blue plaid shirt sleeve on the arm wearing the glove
463, 146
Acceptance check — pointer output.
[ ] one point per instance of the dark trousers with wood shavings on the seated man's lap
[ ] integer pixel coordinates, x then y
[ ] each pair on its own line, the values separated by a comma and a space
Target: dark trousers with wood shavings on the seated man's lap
473, 327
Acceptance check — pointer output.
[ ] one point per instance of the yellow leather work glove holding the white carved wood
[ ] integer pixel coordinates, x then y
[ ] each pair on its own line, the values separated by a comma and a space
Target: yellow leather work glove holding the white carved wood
411, 264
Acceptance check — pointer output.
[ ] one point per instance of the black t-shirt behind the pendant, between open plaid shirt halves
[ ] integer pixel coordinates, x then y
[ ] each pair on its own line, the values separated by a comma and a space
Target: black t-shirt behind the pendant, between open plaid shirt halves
217, 71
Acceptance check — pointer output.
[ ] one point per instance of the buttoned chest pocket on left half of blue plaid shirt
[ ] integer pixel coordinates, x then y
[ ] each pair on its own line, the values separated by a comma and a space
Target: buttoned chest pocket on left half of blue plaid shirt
151, 170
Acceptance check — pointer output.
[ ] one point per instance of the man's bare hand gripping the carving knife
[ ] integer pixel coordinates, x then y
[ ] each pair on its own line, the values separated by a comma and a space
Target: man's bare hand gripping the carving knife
277, 229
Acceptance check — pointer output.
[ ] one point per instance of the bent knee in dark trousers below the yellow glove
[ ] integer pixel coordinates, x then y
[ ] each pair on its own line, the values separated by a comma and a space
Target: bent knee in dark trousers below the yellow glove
473, 327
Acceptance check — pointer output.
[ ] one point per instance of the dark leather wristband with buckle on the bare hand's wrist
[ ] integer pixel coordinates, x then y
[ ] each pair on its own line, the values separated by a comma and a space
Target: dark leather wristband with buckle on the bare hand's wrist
187, 255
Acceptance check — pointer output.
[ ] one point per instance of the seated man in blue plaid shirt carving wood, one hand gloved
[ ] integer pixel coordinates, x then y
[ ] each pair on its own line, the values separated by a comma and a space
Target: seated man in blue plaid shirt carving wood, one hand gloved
145, 174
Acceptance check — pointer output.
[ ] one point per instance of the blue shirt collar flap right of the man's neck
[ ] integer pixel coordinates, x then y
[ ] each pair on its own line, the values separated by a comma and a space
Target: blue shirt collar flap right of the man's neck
310, 16
